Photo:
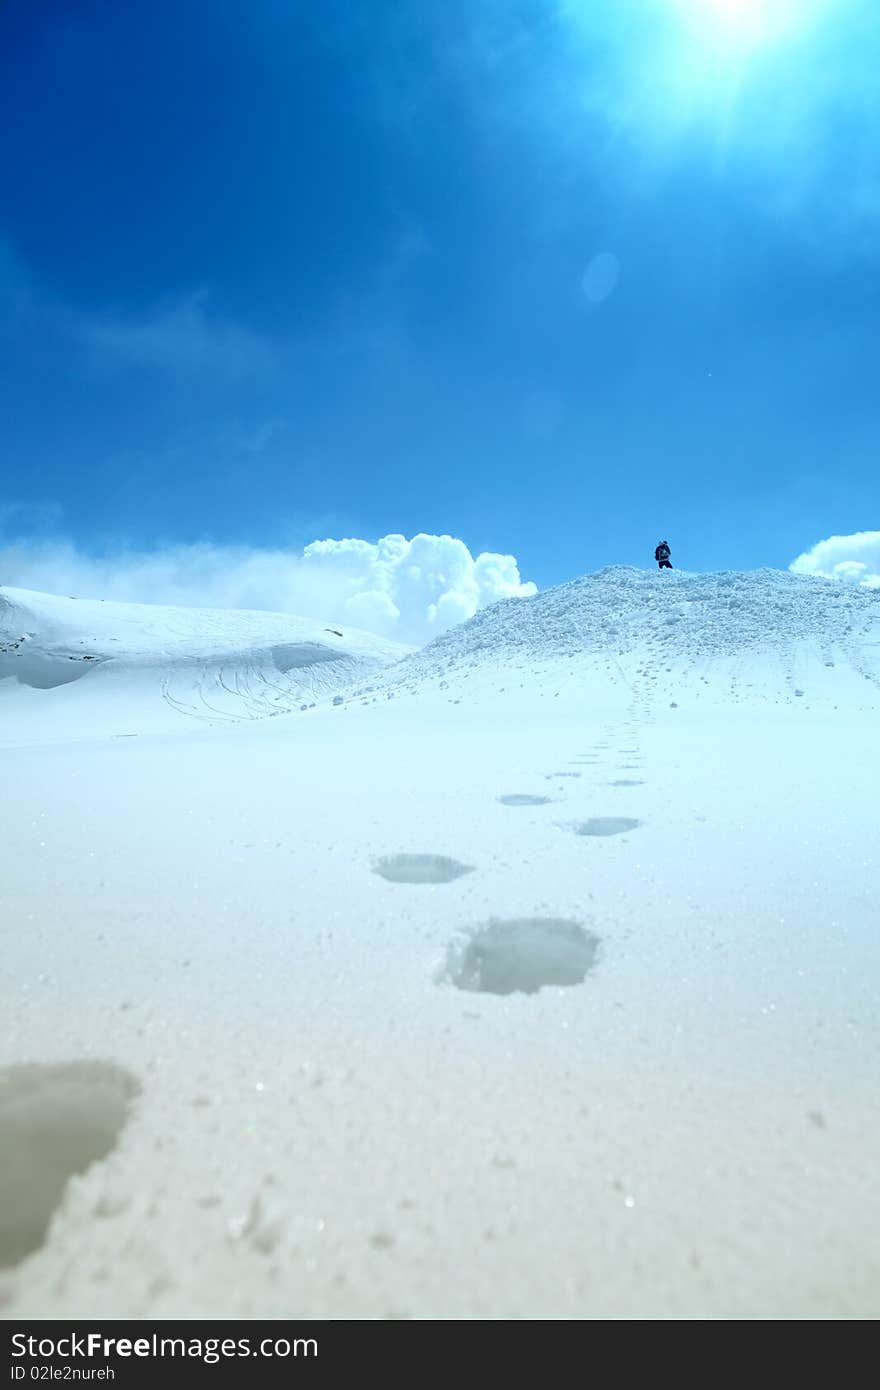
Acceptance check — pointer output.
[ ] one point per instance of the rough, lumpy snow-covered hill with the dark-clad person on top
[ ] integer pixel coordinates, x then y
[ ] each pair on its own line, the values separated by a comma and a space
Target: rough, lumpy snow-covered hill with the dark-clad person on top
761, 633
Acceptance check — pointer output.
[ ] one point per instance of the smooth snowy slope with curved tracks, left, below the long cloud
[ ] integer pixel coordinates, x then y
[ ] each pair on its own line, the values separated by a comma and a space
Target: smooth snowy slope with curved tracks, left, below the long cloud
99, 665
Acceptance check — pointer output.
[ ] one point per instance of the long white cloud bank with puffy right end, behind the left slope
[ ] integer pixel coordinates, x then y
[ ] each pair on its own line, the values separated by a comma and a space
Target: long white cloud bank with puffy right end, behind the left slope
404, 590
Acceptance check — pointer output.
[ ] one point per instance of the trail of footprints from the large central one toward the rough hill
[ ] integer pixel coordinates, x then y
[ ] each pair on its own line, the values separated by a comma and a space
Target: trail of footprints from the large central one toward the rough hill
523, 956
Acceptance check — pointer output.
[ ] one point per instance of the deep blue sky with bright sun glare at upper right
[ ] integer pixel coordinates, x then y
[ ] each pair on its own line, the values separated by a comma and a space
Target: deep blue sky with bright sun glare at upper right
555, 279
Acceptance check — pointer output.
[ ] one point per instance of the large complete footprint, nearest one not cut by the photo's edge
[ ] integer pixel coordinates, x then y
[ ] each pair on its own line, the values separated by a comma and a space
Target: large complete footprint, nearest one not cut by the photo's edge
522, 957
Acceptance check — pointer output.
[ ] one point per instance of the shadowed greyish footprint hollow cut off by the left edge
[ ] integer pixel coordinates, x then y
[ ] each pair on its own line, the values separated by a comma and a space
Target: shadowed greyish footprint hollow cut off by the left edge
55, 1122
